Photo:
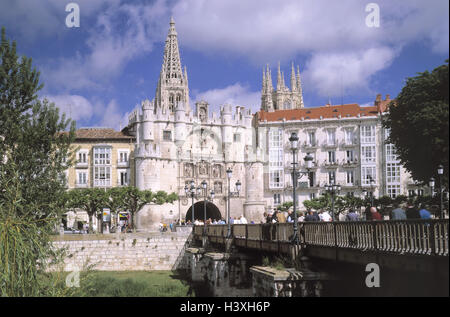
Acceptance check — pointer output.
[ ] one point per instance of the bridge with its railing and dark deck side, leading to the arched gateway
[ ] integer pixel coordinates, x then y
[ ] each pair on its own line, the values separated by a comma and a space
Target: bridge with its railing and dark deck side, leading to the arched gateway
413, 245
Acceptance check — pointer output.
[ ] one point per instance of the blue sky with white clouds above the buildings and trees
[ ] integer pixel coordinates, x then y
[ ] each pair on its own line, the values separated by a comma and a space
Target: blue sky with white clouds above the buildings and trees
348, 51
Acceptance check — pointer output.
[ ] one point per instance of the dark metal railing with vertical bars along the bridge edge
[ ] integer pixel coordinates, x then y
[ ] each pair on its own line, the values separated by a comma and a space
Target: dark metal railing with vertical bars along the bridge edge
420, 237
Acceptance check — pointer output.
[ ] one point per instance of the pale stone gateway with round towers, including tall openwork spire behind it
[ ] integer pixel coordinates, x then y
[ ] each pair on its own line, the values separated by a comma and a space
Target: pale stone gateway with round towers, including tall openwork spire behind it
176, 144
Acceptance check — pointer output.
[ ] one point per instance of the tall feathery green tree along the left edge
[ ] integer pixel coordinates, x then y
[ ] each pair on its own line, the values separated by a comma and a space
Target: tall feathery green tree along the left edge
33, 152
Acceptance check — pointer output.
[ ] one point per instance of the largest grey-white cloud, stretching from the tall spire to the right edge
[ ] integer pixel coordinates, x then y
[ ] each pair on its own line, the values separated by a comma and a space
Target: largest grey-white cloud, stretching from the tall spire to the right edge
343, 53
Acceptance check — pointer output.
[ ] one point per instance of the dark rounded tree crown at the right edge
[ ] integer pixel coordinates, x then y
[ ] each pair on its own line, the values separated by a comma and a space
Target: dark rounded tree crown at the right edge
419, 124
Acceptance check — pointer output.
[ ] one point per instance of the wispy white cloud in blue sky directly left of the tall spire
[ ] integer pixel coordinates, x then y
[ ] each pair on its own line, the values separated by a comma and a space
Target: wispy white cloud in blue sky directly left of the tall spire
121, 33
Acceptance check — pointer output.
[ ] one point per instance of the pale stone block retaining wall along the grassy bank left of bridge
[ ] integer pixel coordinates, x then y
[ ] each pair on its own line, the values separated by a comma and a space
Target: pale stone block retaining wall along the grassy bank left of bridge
124, 252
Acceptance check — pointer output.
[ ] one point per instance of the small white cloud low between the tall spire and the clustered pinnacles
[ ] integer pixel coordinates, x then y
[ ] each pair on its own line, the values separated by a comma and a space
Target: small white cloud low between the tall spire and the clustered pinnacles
236, 95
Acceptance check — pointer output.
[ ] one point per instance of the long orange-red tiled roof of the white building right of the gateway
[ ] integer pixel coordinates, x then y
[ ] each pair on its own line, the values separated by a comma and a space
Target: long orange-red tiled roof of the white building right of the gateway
326, 112
